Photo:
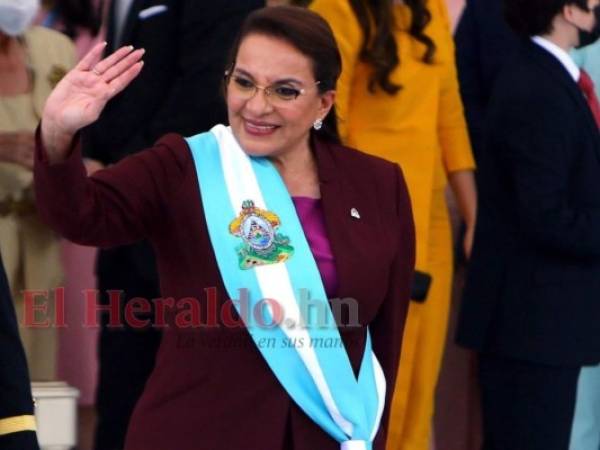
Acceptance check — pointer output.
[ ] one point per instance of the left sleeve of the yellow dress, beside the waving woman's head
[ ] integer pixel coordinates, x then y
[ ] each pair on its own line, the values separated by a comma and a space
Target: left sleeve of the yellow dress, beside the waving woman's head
348, 36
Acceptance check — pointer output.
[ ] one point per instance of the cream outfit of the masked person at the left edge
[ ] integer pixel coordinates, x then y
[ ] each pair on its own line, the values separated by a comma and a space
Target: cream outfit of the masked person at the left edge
30, 250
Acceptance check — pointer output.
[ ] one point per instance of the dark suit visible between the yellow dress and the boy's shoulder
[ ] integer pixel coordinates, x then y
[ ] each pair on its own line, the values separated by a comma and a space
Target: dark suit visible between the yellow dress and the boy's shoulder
484, 43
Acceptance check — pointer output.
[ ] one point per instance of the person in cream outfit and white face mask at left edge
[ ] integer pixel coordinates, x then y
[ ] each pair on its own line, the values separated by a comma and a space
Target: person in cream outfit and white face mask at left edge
32, 61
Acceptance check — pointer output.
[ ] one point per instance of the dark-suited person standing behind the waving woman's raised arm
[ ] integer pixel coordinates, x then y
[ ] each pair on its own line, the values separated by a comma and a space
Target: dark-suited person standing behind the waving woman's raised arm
186, 44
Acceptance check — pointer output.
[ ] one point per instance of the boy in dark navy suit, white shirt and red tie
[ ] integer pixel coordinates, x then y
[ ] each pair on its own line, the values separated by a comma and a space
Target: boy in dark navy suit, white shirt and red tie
531, 304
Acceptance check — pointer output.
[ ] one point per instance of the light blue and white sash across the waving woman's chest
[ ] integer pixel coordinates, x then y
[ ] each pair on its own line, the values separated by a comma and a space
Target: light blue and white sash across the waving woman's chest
319, 378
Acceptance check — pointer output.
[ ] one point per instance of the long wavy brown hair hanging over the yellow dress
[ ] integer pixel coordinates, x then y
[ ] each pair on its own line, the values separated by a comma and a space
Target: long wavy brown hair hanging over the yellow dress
379, 48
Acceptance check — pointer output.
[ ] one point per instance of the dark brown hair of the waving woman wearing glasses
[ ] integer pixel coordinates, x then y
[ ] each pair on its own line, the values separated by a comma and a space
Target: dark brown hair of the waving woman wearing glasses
308, 33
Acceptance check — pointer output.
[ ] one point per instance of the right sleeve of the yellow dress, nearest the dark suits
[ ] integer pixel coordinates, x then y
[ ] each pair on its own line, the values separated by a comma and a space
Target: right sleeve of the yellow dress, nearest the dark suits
452, 127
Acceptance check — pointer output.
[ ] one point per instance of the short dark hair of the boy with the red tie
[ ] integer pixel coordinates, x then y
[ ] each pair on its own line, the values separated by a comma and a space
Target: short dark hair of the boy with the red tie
534, 17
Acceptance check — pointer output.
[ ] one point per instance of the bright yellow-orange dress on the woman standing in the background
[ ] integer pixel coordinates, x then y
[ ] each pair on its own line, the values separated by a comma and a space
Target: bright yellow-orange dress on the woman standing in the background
423, 129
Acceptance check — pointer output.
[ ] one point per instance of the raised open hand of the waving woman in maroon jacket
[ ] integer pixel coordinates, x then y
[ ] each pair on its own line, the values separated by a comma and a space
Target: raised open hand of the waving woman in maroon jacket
82, 94
